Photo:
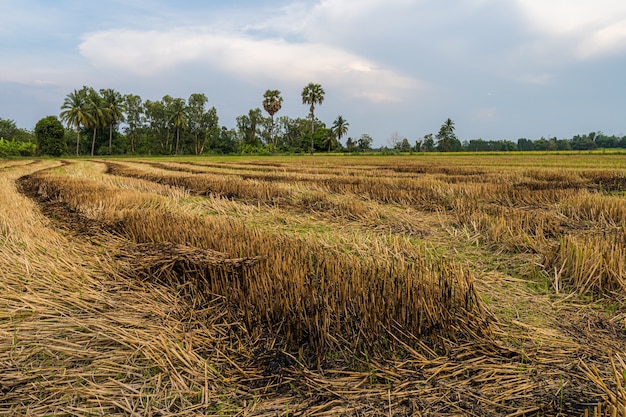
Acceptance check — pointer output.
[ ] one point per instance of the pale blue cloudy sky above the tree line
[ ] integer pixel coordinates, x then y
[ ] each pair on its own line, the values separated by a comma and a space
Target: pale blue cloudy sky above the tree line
500, 69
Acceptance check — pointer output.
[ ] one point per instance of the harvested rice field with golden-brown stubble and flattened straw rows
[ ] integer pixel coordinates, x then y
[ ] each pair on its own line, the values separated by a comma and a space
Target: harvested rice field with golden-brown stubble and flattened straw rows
425, 285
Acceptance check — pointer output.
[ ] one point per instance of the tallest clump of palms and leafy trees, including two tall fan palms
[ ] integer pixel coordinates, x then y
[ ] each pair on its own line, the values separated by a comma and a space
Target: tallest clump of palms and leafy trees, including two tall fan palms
108, 122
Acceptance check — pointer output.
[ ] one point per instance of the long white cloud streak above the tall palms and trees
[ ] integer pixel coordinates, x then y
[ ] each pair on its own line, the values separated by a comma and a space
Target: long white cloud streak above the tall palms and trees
150, 52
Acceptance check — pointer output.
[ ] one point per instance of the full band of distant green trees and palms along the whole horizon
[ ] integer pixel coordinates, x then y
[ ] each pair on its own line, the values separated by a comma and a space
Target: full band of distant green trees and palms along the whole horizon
106, 122
